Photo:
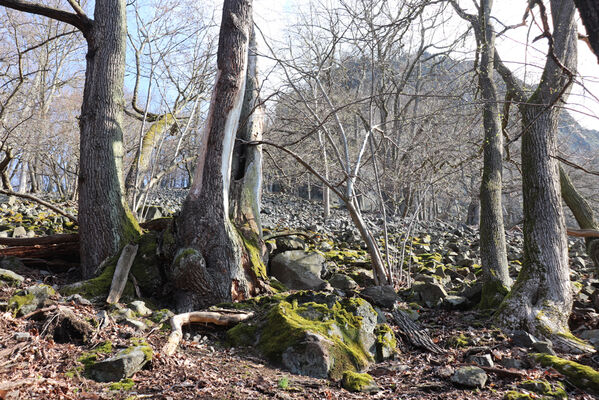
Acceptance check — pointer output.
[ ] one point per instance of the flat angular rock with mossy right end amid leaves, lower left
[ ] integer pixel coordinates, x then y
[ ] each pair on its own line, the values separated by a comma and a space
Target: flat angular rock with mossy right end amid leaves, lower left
124, 365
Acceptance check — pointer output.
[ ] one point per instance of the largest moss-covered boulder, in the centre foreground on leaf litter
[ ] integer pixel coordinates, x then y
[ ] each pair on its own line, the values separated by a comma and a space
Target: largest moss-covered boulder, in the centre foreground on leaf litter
316, 334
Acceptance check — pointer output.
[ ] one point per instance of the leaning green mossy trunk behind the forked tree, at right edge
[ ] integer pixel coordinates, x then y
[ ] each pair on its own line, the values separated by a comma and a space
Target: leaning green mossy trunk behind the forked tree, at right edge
582, 212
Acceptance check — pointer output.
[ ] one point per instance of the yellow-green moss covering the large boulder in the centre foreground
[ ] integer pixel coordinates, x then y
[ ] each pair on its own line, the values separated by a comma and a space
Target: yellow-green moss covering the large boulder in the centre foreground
287, 324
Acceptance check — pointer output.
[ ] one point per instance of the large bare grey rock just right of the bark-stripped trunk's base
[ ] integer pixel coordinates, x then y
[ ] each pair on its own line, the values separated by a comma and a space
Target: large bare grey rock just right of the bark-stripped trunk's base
298, 269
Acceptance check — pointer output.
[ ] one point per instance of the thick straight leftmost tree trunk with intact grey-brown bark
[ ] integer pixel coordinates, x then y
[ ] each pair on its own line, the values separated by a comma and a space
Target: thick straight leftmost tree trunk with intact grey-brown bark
105, 221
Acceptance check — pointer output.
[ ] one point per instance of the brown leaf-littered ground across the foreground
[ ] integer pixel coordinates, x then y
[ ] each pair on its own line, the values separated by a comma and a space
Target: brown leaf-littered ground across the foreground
209, 369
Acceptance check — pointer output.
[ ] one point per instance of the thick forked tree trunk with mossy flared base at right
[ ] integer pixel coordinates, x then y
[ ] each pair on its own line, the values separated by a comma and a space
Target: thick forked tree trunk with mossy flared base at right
541, 299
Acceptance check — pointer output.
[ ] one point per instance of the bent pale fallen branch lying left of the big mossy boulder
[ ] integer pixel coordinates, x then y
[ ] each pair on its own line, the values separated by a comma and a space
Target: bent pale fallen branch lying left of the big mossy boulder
210, 317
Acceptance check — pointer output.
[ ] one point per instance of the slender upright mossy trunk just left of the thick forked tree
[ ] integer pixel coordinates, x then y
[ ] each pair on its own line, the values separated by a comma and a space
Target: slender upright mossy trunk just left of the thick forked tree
496, 278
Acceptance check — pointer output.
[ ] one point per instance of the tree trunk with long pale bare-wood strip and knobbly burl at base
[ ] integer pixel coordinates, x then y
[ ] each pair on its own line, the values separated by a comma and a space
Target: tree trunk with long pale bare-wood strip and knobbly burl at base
209, 264
